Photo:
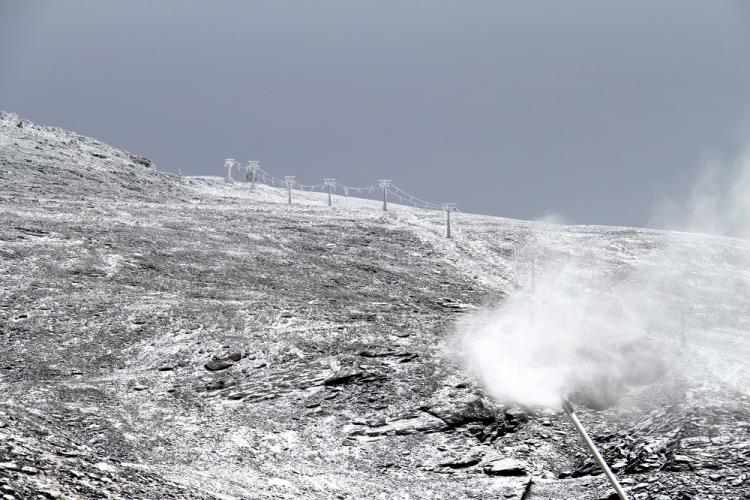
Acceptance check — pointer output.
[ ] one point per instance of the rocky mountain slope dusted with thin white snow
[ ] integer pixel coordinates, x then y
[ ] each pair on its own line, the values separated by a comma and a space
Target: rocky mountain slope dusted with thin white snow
167, 337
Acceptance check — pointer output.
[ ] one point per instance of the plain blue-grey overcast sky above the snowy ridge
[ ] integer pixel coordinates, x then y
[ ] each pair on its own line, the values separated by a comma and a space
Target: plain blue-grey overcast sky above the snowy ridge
592, 110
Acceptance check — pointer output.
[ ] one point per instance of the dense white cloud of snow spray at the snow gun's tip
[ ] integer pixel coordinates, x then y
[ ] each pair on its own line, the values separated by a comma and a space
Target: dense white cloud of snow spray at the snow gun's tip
571, 332
